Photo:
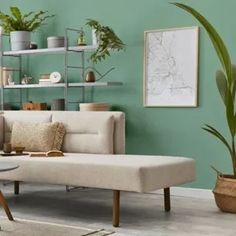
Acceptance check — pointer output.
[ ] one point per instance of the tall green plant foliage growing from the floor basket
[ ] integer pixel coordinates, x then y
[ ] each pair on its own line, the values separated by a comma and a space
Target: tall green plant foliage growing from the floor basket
226, 84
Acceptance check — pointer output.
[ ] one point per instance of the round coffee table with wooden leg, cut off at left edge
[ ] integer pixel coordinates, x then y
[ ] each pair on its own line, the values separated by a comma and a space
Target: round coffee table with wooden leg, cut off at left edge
6, 166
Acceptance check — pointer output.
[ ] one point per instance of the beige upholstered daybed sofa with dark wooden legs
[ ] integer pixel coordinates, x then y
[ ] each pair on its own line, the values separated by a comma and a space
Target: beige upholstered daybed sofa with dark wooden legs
94, 147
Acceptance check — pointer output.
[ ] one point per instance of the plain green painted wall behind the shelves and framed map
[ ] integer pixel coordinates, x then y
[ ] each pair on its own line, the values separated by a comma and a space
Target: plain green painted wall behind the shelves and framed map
164, 131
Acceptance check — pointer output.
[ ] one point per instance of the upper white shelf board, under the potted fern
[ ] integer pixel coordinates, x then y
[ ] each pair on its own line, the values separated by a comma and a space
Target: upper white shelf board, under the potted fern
49, 50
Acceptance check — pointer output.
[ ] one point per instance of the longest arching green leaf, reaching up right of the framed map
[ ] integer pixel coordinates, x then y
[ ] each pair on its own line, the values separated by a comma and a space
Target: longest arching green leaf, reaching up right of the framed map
218, 43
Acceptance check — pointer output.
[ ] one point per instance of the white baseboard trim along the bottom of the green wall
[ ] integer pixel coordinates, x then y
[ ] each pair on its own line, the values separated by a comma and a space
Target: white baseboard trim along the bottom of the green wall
189, 192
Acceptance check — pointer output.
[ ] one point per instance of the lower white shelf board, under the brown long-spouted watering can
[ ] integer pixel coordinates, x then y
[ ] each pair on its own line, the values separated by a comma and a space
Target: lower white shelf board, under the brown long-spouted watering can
62, 85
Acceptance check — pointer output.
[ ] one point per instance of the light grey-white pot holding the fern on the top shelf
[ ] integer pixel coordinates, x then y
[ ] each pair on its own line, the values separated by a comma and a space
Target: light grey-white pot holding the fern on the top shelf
20, 40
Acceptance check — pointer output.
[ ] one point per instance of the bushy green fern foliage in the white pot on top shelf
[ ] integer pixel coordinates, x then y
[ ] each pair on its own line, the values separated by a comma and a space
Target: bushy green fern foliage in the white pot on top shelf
18, 21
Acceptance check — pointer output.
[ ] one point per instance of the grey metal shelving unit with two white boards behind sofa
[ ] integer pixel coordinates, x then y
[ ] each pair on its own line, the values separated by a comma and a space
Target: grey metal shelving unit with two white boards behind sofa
66, 50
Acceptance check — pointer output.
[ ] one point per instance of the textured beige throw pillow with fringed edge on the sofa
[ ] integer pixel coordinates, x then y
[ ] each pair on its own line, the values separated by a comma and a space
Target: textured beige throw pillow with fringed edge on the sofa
38, 137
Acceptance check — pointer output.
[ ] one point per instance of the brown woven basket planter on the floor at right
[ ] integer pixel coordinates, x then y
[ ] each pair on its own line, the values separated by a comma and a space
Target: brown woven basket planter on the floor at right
225, 193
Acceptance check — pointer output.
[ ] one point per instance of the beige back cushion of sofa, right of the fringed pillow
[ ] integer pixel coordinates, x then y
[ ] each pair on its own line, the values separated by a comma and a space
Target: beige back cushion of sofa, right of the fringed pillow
87, 132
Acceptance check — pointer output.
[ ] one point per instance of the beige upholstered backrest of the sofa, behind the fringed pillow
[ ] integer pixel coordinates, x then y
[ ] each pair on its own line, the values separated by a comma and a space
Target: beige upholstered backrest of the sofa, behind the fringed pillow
86, 132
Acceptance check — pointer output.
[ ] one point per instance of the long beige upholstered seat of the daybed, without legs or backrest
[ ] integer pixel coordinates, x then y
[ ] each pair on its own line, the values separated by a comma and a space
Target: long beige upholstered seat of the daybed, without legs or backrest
119, 172
